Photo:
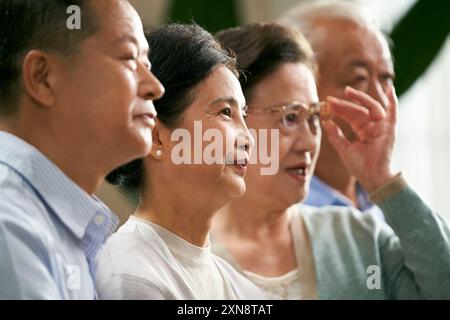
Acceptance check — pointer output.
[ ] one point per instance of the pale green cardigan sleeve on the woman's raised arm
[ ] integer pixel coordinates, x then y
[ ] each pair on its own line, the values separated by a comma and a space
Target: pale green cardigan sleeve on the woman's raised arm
416, 259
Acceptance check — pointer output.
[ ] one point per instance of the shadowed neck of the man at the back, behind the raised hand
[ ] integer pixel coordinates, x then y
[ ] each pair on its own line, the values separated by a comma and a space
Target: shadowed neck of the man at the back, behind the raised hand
331, 170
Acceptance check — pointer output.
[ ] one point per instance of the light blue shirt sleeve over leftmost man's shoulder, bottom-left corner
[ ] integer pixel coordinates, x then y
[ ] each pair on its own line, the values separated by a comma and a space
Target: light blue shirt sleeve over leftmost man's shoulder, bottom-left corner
26, 242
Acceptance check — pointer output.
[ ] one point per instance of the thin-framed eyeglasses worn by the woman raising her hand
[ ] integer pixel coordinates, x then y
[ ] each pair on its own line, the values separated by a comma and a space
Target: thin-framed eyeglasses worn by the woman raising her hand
294, 114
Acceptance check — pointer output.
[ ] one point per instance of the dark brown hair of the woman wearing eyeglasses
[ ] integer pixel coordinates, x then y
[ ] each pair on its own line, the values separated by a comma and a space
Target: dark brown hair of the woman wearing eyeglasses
261, 48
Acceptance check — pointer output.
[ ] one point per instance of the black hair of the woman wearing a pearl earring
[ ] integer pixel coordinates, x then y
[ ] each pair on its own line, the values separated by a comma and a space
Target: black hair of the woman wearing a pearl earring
182, 57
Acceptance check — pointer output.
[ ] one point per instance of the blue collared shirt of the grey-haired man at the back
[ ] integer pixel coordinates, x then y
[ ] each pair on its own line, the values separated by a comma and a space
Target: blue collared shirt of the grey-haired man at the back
321, 194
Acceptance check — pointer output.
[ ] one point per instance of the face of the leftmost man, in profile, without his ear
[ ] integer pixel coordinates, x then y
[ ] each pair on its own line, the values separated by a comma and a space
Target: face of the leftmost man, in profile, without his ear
105, 91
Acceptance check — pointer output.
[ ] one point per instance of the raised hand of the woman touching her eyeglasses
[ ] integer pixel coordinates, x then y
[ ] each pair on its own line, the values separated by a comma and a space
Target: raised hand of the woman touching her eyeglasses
368, 158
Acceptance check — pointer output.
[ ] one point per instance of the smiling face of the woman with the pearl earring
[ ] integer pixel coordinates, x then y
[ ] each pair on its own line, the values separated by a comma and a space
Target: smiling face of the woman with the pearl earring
212, 122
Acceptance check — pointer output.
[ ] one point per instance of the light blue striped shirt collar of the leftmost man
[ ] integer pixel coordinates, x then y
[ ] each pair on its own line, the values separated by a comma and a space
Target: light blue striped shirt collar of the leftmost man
72, 205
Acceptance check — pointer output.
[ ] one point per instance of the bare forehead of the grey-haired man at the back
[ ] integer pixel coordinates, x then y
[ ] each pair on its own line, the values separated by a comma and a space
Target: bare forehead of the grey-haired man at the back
343, 42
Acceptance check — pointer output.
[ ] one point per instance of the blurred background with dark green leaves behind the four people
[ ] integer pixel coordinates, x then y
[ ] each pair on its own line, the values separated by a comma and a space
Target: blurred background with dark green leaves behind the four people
420, 32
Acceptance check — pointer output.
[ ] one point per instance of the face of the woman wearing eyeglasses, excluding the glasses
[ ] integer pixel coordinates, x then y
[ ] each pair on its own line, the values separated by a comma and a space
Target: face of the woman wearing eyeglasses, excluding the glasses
298, 146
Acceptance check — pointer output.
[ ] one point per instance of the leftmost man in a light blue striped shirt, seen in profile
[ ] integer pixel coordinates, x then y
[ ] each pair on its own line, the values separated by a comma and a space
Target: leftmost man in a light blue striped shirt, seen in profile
76, 98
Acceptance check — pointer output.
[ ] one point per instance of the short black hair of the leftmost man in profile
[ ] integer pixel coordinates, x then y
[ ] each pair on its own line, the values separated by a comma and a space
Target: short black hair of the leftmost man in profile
26, 25
